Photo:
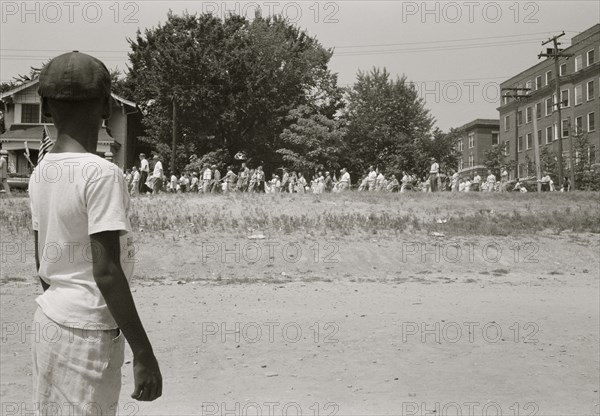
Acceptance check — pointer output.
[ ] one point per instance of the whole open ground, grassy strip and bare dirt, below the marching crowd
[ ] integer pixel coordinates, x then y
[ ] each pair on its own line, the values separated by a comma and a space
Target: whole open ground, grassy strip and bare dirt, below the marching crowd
354, 304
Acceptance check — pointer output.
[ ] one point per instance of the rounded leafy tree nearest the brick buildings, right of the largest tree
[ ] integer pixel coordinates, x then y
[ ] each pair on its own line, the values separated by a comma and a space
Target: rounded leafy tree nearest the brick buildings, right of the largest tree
386, 122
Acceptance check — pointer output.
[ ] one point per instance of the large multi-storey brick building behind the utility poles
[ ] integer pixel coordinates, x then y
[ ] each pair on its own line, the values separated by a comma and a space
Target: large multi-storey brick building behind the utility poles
580, 92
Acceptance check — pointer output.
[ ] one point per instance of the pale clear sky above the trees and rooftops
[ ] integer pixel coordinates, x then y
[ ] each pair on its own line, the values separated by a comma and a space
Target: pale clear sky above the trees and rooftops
455, 52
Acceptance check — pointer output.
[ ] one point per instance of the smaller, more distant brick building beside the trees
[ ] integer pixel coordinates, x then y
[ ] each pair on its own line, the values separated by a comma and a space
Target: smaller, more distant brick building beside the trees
476, 137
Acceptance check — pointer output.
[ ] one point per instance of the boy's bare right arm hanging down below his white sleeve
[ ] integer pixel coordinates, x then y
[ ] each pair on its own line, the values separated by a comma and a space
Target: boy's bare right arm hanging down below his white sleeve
113, 285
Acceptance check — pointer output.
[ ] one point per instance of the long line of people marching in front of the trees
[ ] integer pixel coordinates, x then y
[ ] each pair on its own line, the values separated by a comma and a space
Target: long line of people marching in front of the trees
209, 180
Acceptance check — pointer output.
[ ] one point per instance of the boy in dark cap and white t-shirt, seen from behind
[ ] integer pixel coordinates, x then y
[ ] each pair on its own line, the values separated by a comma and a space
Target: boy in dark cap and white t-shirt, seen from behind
86, 293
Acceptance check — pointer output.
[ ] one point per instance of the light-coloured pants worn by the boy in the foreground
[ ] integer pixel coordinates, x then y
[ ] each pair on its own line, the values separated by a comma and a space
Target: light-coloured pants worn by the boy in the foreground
75, 371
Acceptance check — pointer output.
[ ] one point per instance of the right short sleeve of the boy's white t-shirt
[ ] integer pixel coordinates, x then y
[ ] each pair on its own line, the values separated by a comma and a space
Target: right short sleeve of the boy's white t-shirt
107, 202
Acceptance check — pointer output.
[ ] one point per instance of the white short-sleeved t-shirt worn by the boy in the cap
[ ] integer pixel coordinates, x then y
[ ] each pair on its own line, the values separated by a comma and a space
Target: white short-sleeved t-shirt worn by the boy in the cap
74, 195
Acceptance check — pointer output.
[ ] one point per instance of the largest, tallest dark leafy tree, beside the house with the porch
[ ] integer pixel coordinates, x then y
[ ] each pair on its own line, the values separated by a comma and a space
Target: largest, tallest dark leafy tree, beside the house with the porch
234, 82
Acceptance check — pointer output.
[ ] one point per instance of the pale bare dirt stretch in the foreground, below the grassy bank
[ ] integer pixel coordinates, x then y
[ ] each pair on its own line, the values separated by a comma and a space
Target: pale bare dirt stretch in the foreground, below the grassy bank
356, 348
